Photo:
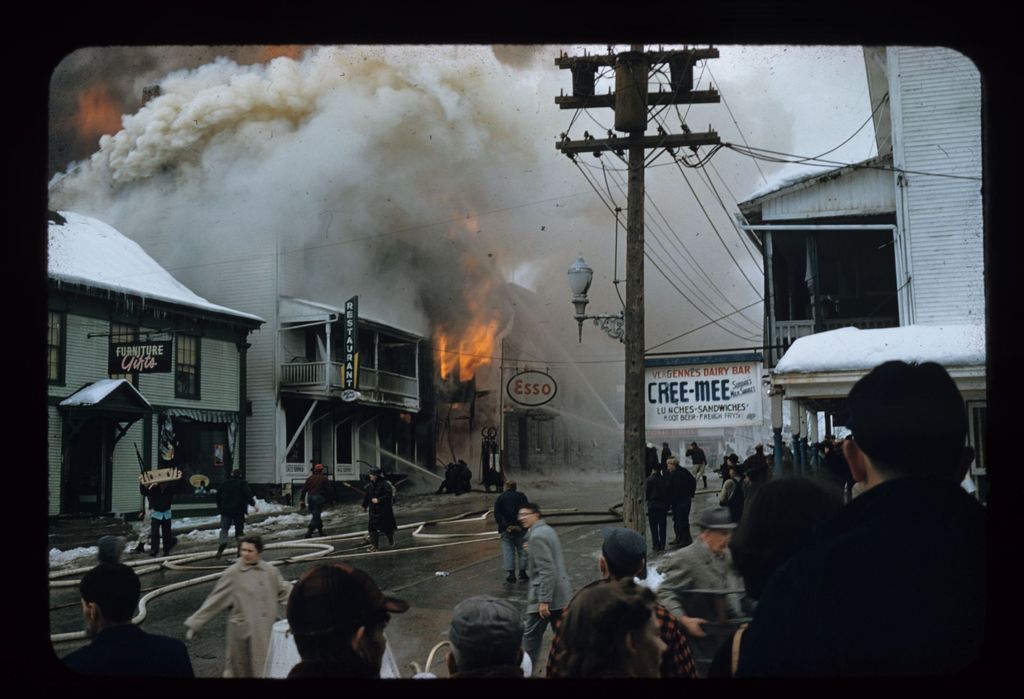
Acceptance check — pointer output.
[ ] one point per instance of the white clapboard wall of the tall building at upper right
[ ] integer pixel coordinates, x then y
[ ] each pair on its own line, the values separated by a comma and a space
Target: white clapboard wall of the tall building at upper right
936, 104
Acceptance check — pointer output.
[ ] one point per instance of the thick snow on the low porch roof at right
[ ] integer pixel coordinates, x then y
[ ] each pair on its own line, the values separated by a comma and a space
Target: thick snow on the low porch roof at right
851, 349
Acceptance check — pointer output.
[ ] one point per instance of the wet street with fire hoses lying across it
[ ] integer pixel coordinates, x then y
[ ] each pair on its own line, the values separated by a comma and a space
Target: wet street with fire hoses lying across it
446, 550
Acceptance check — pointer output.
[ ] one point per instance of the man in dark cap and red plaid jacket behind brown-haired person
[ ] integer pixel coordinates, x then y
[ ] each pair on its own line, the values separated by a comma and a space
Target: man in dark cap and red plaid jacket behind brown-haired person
624, 555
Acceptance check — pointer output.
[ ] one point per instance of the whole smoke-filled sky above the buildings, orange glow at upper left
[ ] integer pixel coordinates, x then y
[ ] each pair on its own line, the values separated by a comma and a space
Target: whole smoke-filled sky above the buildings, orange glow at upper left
397, 162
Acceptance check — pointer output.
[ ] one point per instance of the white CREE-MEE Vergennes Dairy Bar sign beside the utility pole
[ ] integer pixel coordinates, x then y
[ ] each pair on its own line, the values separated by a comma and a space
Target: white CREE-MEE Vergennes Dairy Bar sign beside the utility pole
703, 392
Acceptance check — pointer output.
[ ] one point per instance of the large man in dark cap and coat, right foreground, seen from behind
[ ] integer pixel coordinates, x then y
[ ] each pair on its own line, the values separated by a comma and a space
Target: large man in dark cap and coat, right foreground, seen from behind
894, 585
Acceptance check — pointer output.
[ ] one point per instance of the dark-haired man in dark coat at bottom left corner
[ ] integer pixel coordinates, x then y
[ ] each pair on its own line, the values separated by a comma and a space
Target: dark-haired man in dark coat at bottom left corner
119, 648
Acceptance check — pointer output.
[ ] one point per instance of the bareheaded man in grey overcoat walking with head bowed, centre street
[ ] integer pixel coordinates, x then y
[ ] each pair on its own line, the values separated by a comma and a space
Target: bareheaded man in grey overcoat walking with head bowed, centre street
549, 582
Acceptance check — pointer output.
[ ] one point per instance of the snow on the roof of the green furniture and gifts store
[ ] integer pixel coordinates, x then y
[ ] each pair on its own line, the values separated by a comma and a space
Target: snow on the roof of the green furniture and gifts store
91, 252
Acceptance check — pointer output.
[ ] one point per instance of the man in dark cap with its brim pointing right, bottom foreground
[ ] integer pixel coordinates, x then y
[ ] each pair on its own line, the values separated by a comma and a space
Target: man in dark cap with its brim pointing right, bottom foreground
337, 616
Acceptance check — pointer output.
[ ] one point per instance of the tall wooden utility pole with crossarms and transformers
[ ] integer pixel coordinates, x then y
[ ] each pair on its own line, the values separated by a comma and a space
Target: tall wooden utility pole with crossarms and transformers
631, 102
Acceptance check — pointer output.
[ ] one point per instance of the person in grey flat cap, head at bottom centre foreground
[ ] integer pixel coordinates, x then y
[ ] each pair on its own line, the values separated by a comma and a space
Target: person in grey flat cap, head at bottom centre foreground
486, 638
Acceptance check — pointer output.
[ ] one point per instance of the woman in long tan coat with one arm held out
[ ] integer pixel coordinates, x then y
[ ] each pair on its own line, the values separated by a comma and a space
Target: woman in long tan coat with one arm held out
257, 593
